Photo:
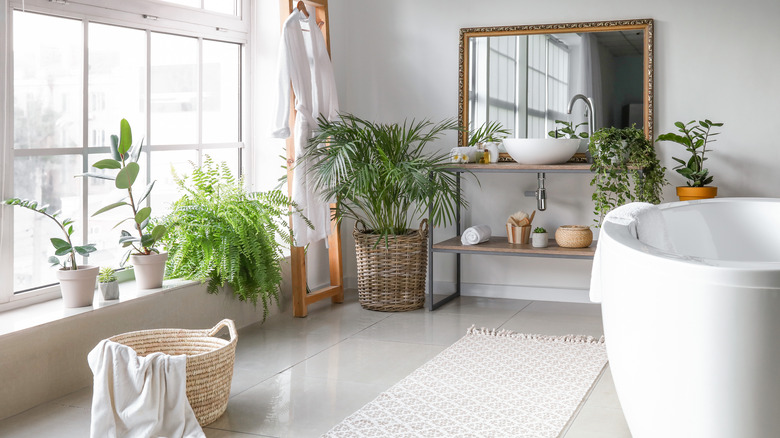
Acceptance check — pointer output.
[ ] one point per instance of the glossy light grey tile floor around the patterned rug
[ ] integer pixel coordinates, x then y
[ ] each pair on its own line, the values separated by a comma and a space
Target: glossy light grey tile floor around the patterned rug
300, 377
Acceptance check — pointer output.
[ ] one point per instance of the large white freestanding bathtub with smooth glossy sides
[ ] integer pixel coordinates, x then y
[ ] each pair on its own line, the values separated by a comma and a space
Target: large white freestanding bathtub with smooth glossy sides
694, 337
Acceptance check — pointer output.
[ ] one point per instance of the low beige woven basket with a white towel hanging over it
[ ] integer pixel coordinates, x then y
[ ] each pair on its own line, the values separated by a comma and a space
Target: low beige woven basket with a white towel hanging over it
209, 362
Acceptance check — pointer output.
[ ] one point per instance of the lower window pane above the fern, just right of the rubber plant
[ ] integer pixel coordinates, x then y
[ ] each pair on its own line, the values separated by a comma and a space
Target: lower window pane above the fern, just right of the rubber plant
165, 189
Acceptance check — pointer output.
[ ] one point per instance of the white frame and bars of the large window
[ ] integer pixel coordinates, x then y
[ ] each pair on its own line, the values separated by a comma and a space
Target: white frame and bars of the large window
148, 15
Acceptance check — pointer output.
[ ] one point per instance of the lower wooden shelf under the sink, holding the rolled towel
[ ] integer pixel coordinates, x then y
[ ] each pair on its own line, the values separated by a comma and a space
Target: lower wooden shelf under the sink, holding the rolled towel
498, 245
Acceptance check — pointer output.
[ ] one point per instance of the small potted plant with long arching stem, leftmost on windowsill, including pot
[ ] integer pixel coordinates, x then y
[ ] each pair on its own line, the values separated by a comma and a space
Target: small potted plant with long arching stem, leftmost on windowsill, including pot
77, 283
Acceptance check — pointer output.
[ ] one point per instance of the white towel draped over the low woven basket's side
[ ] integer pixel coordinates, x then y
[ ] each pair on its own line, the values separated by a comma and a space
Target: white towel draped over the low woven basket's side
140, 396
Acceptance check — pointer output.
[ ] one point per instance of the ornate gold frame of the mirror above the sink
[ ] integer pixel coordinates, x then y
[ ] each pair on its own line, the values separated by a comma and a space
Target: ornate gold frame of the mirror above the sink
645, 25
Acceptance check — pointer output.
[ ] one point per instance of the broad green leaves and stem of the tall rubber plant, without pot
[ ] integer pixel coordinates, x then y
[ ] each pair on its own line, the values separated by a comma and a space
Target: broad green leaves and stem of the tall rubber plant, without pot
125, 159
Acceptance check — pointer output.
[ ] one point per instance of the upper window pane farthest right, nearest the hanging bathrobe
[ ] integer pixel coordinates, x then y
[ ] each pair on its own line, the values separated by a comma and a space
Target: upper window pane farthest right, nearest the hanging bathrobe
221, 91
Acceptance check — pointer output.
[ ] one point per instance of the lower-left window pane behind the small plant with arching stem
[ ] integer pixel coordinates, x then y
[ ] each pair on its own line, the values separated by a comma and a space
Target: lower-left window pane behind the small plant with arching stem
48, 180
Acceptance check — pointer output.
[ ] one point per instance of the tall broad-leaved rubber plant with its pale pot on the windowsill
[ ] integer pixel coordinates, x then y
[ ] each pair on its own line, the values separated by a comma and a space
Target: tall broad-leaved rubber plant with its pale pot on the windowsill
148, 262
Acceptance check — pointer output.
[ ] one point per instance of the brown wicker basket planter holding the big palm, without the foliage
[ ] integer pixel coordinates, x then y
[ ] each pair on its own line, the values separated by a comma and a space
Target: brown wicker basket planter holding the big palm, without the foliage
391, 276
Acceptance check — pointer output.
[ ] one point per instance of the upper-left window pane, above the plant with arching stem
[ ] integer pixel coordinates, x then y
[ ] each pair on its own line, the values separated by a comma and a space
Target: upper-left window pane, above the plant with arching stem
48, 54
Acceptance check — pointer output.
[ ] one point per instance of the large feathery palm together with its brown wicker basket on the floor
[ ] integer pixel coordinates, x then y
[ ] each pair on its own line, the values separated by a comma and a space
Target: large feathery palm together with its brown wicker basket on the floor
381, 176
